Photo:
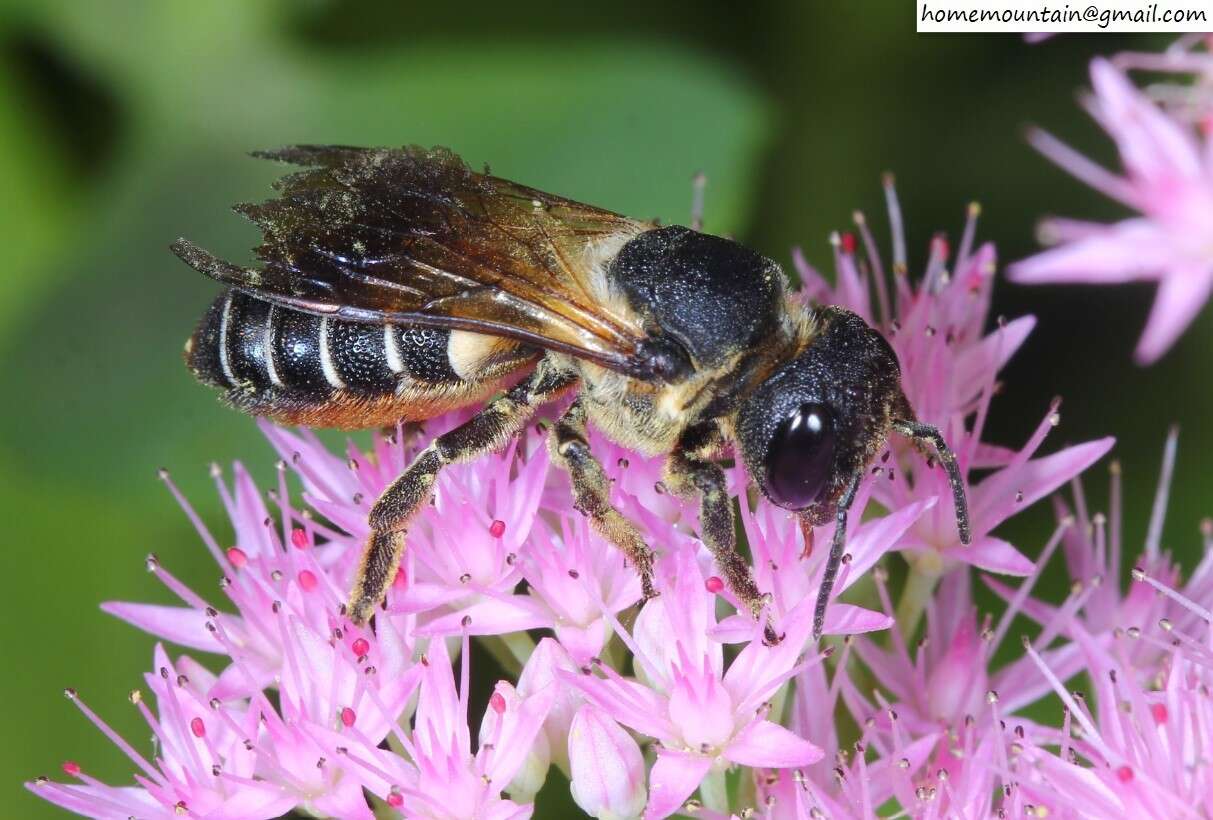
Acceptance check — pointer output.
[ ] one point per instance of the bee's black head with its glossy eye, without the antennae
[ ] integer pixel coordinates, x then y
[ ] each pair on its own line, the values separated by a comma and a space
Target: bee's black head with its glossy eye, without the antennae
818, 420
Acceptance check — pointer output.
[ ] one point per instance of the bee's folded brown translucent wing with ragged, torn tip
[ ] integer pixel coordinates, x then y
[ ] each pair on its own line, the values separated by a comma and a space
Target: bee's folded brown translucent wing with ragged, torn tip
414, 236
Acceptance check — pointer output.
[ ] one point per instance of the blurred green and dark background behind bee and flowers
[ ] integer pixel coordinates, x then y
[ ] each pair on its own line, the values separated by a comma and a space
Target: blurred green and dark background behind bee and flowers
124, 126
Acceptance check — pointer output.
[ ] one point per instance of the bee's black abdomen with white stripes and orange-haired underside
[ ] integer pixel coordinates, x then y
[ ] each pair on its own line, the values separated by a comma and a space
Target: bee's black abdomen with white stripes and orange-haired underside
305, 369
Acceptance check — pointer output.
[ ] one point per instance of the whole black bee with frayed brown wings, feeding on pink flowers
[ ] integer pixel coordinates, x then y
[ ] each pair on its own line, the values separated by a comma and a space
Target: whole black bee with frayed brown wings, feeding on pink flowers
400, 284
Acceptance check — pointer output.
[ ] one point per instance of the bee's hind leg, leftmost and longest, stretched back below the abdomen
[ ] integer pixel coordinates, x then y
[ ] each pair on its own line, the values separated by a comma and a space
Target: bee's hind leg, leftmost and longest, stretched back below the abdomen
398, 505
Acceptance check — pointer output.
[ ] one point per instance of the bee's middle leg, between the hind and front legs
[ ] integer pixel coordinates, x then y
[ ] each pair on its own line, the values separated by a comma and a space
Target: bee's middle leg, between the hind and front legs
591, 493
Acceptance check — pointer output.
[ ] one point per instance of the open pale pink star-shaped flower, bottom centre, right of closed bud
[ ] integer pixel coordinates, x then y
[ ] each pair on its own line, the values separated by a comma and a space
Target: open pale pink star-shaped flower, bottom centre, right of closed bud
704, 715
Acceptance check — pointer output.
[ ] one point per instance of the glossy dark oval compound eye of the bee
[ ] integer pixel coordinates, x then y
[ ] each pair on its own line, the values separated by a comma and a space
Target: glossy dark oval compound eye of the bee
801, 457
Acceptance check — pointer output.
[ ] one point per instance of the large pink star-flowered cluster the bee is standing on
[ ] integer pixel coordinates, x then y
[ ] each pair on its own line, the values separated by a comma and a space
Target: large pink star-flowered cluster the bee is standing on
677, 705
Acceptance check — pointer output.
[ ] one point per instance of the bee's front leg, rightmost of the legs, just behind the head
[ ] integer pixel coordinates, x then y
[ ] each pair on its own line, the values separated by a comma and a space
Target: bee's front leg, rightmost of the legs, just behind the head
688, 474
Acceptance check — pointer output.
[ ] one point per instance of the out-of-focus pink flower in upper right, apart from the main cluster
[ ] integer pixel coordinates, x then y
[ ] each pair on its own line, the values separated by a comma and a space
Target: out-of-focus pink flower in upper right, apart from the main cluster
1169, 179
